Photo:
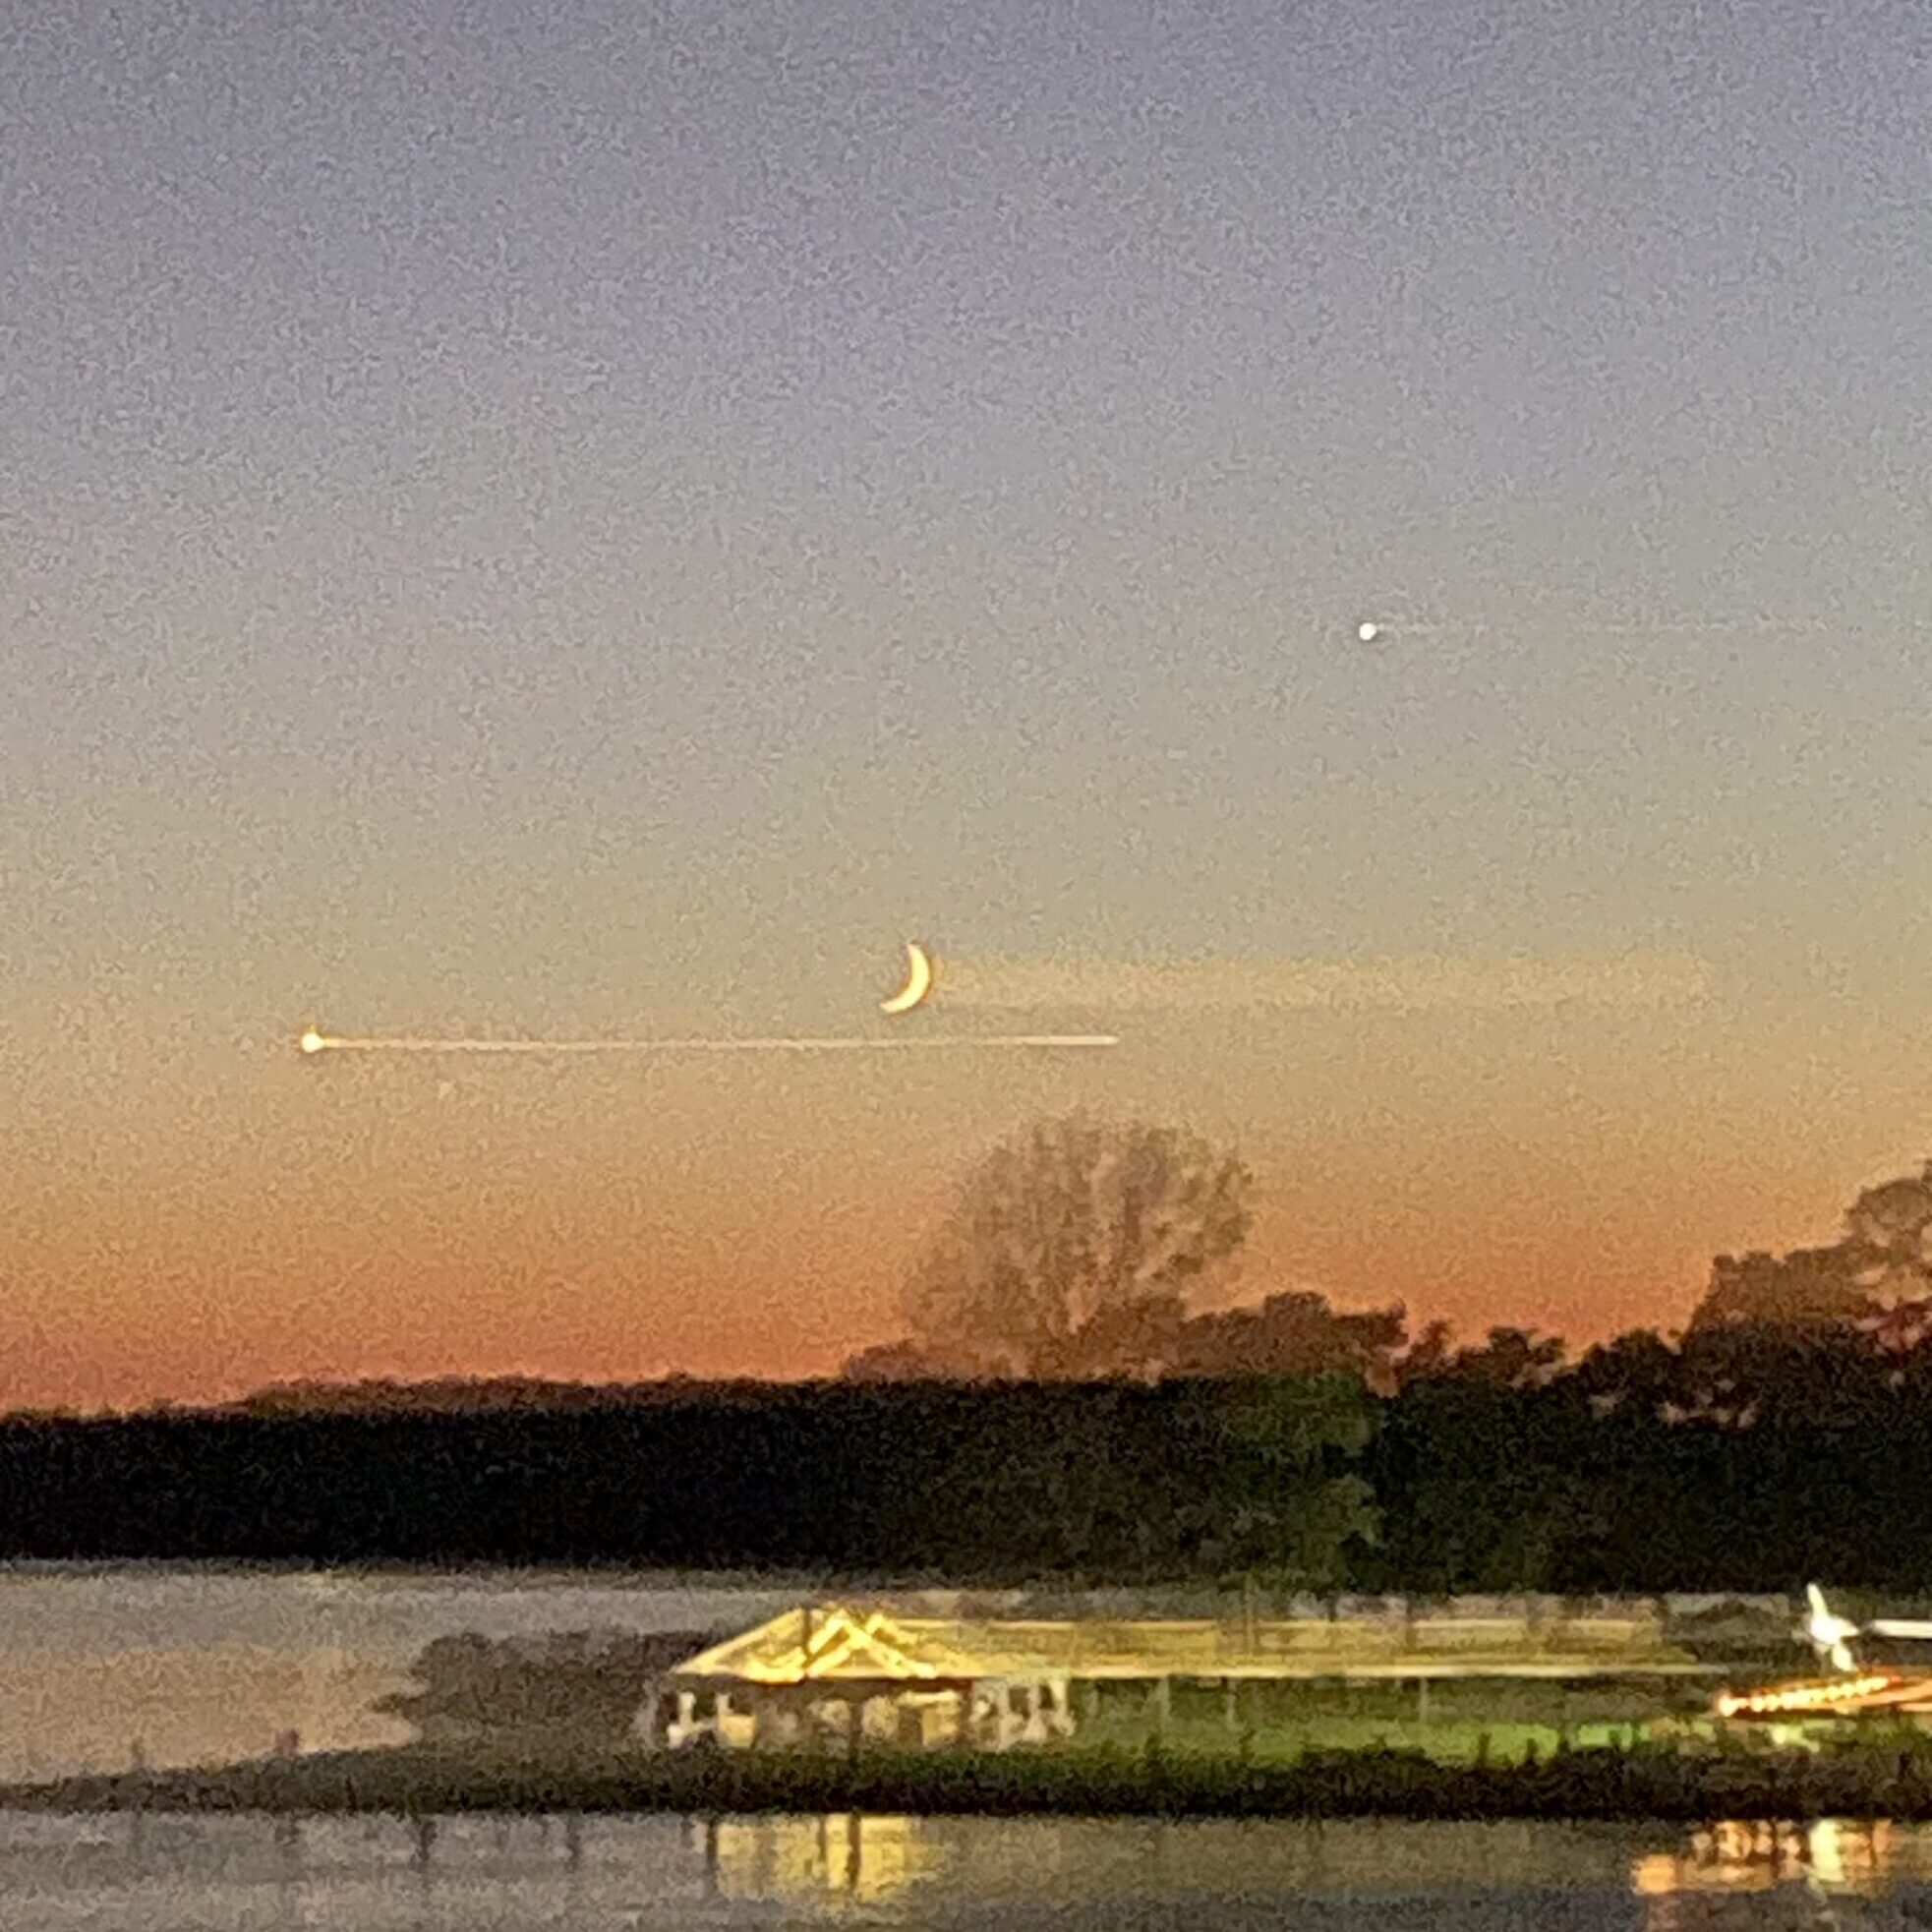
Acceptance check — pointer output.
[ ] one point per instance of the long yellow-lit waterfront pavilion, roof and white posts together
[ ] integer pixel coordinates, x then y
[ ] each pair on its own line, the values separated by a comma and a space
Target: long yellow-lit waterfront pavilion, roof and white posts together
838, 1672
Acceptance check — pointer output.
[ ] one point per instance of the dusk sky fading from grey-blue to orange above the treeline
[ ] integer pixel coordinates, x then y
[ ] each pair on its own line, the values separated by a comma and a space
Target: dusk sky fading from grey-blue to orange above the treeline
604, 519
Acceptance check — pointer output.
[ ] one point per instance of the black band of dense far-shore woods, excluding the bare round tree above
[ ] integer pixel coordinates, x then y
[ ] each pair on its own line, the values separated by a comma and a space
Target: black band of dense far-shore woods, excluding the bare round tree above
1746, 1458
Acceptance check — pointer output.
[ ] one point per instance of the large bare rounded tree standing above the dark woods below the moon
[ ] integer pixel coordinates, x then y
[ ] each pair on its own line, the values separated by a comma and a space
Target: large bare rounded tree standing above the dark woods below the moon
1073, 1249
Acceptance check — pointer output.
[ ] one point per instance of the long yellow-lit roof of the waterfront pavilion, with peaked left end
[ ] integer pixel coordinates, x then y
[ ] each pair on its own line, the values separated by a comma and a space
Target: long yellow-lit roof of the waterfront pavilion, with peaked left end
836, 1643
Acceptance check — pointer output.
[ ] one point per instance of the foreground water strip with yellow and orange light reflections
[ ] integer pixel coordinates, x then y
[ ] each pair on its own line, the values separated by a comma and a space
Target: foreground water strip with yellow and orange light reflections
969, 1875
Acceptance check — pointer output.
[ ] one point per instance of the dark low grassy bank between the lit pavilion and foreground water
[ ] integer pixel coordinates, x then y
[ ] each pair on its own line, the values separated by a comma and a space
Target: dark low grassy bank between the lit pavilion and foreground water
1593, 1786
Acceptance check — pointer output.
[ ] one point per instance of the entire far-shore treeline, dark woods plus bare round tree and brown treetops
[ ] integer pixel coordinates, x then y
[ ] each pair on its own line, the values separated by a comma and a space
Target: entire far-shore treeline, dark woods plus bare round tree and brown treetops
1060, 1413
